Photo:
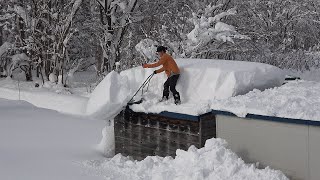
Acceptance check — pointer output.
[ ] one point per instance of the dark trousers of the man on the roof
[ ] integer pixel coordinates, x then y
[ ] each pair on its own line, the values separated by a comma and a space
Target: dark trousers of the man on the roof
171, 83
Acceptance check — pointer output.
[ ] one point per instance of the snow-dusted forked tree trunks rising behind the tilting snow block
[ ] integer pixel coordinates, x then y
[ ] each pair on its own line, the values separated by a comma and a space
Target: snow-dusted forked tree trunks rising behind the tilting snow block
115, 17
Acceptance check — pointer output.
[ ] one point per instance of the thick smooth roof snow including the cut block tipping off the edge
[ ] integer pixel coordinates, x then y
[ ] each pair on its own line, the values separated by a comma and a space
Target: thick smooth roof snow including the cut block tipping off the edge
201, 82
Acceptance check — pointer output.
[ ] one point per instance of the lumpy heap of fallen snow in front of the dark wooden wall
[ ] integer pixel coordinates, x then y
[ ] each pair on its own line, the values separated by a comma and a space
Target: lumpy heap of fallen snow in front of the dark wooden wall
212, 162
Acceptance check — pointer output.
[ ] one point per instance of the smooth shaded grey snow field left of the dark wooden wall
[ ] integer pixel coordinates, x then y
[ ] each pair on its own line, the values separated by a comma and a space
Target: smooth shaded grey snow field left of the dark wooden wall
42, 144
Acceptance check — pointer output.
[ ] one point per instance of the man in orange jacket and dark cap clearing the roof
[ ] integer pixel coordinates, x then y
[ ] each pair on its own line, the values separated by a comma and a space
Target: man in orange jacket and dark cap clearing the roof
173, 72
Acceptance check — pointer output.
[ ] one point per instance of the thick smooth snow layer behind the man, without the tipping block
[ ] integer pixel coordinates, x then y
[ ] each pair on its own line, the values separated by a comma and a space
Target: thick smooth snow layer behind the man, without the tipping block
201, 81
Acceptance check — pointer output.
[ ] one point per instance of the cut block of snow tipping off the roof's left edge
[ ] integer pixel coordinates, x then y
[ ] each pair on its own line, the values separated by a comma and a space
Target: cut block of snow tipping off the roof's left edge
109, 97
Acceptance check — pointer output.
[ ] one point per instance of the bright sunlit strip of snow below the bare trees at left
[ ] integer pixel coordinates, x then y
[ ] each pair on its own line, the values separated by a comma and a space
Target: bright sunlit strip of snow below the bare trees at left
50, 96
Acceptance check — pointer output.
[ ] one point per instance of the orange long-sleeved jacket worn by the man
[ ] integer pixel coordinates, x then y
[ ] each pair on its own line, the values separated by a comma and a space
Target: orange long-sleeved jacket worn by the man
168, 65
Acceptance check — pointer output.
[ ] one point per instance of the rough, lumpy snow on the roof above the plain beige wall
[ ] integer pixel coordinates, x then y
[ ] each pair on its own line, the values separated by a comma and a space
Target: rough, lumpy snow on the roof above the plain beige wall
297, 99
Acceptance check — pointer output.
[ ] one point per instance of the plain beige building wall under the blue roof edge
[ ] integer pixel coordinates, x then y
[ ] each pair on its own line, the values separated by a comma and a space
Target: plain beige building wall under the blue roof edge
292, 148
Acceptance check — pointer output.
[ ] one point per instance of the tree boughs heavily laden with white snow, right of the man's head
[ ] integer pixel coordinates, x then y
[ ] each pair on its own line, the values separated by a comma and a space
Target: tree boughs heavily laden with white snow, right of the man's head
209, 30
